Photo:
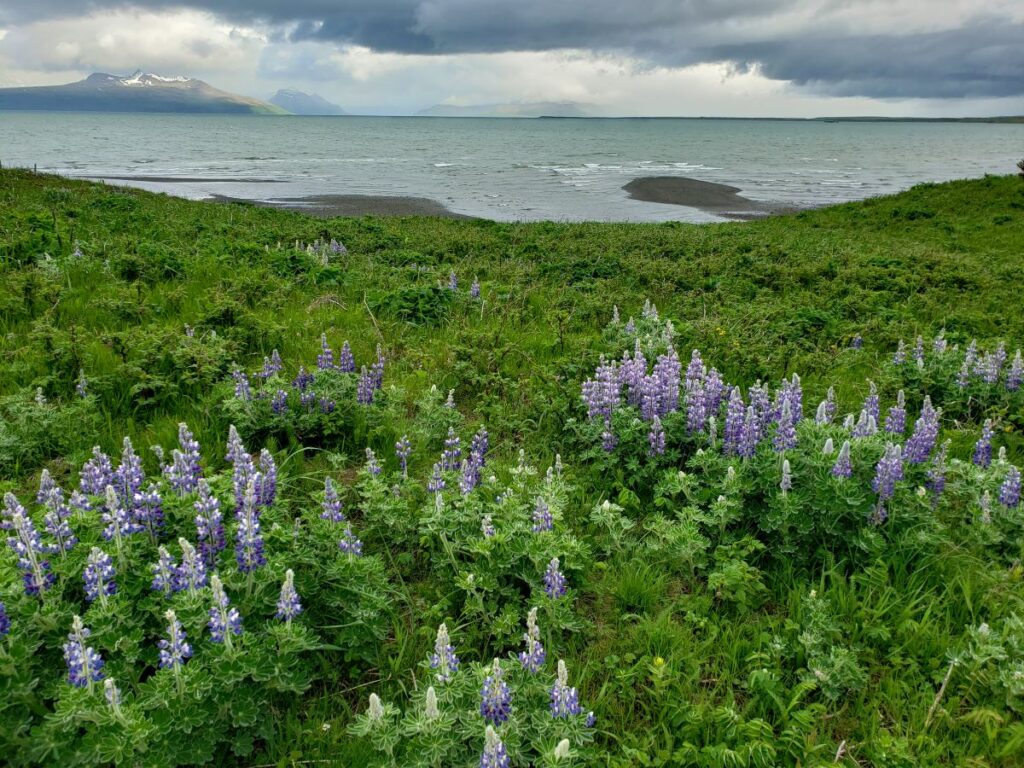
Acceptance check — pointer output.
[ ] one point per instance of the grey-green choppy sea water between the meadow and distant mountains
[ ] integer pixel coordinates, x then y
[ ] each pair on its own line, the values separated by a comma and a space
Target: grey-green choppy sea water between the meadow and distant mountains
508, 169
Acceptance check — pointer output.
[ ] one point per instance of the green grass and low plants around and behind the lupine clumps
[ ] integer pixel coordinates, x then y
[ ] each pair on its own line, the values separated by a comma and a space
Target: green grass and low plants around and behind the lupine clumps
688, 660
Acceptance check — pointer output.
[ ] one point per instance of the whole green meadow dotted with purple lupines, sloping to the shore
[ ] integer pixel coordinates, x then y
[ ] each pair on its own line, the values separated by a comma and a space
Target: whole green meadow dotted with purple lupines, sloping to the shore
720, 610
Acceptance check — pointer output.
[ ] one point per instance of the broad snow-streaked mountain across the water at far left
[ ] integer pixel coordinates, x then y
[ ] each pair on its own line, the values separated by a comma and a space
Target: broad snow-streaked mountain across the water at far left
138, 93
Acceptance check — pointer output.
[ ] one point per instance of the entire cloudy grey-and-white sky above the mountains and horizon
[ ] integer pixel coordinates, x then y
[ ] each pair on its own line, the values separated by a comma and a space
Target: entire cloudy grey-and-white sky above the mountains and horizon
732, 58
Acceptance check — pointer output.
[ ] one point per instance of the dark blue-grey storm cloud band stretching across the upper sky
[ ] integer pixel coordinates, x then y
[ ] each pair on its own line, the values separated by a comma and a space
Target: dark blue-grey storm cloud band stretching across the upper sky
979, 59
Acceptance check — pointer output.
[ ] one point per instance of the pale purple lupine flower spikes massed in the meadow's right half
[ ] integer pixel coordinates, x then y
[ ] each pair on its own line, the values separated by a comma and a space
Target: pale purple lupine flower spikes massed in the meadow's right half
765, 417
